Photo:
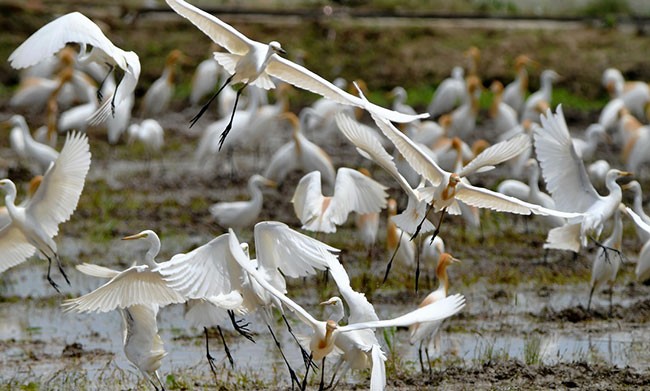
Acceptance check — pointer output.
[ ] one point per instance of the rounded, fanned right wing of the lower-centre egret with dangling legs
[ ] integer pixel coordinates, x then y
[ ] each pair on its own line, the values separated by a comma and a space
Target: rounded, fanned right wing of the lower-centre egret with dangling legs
281, 249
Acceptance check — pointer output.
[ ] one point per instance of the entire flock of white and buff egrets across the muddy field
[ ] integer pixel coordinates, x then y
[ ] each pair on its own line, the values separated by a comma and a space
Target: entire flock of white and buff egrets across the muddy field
431, 163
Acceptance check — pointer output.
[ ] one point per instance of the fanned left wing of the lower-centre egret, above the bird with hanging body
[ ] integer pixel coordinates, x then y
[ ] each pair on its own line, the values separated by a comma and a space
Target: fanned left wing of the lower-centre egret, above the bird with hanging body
206, 271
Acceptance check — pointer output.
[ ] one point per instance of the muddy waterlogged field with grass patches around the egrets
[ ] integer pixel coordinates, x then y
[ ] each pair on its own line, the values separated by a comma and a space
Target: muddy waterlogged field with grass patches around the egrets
525, 325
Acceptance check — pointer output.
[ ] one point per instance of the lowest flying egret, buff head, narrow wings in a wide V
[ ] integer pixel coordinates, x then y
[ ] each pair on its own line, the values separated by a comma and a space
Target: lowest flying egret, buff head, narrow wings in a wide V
325, 333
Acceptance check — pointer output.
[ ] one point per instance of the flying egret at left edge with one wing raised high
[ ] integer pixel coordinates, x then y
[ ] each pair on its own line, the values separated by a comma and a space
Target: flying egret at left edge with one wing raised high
34, 225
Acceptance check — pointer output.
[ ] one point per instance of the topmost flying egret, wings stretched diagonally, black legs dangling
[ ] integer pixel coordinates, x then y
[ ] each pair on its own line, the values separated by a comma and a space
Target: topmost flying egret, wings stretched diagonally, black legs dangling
252, 62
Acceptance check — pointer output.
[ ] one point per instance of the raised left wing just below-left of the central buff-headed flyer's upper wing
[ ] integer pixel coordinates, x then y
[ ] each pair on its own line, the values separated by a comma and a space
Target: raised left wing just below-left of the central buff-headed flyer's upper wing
370, 147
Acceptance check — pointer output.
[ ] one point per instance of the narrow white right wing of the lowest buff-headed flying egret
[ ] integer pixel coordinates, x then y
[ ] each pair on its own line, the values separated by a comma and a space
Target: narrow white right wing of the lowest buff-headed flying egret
441, 309
